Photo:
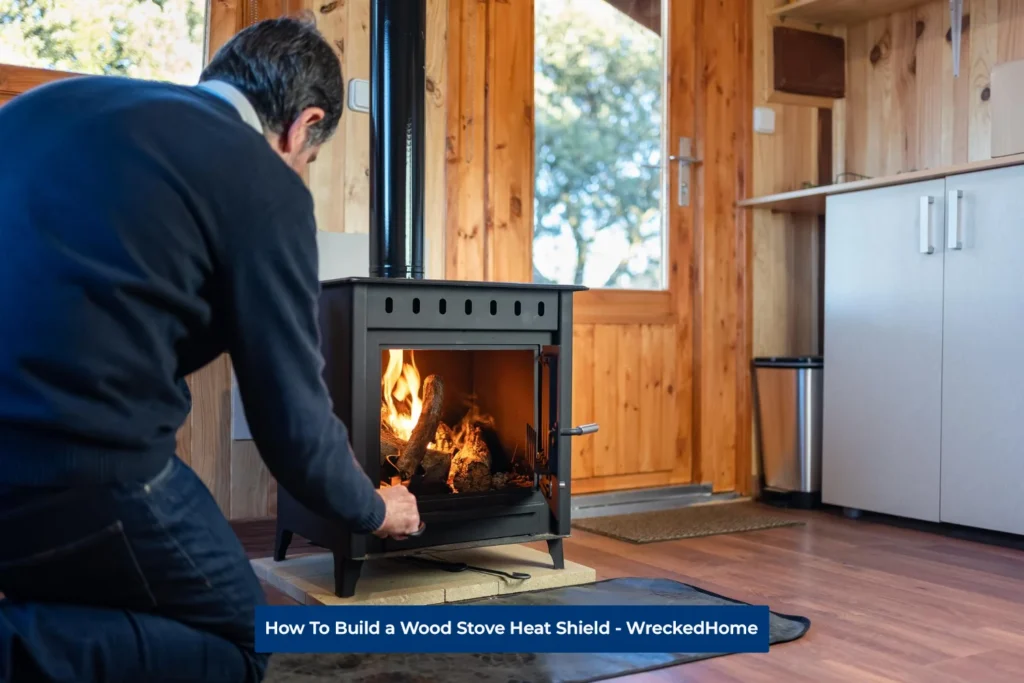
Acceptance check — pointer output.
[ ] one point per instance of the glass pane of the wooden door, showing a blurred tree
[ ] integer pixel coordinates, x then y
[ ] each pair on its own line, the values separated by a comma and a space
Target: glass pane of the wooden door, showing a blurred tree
600, 79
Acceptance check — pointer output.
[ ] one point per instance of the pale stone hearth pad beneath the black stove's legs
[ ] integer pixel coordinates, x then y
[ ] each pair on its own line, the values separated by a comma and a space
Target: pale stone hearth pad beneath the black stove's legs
310, 579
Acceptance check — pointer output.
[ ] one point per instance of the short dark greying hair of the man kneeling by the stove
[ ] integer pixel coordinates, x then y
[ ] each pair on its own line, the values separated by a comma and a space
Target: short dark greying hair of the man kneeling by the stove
283, 66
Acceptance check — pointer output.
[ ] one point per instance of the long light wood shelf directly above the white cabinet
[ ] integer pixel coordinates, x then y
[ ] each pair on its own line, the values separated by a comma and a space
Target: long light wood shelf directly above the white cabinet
813, 201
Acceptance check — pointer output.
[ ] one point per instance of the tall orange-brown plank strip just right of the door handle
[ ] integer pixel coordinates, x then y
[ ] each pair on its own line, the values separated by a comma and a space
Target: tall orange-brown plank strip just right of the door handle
724, 307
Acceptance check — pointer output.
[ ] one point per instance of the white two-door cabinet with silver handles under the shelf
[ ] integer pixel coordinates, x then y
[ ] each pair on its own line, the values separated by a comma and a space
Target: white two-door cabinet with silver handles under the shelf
924, 389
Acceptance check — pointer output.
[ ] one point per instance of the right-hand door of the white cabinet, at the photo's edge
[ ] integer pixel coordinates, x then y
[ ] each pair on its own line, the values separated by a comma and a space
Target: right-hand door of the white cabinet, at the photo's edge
984, 354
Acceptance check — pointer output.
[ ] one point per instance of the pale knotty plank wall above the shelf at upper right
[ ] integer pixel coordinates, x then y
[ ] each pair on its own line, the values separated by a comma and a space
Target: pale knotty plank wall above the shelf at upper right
905, 111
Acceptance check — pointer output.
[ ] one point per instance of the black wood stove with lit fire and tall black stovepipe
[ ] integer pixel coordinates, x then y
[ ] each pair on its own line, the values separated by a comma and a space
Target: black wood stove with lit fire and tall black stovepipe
502, 351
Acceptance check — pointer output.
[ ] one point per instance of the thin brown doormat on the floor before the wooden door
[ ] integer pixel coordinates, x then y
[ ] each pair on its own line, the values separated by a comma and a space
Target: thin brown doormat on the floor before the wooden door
689, 523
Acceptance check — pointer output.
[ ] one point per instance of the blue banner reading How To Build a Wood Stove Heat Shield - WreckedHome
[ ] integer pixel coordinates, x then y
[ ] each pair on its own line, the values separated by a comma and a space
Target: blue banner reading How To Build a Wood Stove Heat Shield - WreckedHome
727, 629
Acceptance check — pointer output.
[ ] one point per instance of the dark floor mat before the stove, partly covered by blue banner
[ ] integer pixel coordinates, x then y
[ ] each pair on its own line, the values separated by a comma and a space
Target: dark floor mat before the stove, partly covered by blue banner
528, 668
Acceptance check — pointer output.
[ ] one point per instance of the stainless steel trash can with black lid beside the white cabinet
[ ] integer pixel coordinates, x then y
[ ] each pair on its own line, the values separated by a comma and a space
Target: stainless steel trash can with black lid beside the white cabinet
788, 415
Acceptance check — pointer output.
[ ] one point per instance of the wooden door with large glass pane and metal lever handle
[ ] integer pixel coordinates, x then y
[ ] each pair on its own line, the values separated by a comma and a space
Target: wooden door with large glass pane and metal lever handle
631, 355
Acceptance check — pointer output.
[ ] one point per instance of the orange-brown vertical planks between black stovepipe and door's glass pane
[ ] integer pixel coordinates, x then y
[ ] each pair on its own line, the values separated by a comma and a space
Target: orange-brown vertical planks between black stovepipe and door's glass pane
490, 141
